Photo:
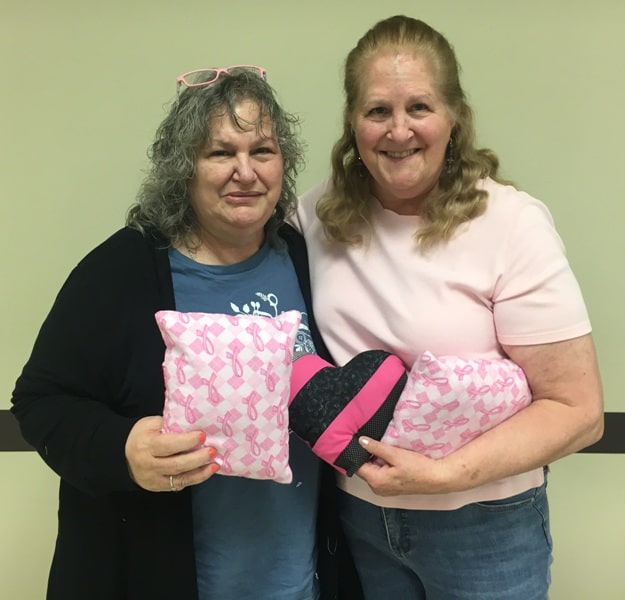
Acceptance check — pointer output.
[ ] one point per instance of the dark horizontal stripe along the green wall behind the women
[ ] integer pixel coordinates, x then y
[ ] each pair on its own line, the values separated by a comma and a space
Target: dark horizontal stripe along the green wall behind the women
613, 441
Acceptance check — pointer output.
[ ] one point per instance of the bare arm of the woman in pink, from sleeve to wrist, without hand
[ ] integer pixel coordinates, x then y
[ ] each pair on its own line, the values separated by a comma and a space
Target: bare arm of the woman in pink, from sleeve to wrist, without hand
566, 415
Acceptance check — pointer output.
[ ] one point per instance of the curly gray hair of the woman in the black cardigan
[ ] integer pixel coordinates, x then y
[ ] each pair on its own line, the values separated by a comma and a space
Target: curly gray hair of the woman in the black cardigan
163, 202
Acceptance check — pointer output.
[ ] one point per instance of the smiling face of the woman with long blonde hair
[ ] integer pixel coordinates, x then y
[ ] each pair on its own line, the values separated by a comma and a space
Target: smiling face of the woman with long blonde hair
402, 129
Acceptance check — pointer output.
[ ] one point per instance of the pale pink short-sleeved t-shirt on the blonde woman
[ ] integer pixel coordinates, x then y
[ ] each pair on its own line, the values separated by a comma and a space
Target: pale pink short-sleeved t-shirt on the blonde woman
502, 279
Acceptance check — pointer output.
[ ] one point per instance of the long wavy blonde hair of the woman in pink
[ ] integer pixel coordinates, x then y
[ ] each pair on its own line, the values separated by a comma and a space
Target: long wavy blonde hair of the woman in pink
345, 208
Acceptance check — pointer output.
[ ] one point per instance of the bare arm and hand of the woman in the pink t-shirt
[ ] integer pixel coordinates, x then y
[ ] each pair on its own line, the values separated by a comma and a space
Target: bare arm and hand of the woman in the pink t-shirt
566, 414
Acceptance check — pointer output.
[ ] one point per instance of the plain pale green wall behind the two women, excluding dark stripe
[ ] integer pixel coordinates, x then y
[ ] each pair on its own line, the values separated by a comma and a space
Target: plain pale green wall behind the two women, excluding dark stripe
85, 84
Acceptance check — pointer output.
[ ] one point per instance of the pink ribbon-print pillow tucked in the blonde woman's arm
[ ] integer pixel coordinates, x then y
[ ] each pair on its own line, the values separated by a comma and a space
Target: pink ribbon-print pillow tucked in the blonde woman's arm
448, 401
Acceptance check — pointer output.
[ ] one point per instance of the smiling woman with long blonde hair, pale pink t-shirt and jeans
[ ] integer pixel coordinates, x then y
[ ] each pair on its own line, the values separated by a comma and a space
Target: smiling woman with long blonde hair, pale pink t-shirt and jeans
417, 247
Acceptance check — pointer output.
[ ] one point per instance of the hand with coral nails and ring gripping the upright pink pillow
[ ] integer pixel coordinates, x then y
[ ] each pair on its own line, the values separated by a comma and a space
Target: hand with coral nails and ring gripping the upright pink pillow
167, 462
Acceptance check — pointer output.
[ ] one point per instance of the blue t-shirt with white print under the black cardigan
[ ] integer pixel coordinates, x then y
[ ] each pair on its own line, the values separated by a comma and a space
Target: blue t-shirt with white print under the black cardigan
254, 539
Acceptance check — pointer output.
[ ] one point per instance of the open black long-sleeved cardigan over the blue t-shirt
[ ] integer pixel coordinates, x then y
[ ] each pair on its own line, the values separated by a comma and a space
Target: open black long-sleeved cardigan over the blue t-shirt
95, 369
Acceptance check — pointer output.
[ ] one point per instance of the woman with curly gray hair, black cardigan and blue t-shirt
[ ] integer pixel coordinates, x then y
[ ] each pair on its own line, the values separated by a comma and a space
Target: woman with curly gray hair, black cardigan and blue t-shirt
207, 235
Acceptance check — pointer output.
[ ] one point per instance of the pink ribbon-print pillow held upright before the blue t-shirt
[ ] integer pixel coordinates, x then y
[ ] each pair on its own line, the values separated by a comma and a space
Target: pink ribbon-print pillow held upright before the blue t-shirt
229, 376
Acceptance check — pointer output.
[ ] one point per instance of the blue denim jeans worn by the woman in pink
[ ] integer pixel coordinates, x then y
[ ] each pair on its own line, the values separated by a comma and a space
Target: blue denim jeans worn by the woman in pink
498, 550
